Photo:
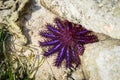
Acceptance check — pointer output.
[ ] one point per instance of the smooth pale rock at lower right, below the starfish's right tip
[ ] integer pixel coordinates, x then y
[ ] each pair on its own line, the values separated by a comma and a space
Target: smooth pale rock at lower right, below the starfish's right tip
102, 62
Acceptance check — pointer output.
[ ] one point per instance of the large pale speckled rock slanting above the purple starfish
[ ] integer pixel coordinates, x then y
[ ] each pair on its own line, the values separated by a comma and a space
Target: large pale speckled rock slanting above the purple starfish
101, 16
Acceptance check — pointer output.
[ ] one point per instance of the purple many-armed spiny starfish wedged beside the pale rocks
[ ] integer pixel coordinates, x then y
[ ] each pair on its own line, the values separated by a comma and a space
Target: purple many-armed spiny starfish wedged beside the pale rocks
67, 40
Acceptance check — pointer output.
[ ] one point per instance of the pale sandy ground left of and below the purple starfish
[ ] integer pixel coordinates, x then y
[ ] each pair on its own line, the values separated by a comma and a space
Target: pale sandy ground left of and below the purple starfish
33, 23
